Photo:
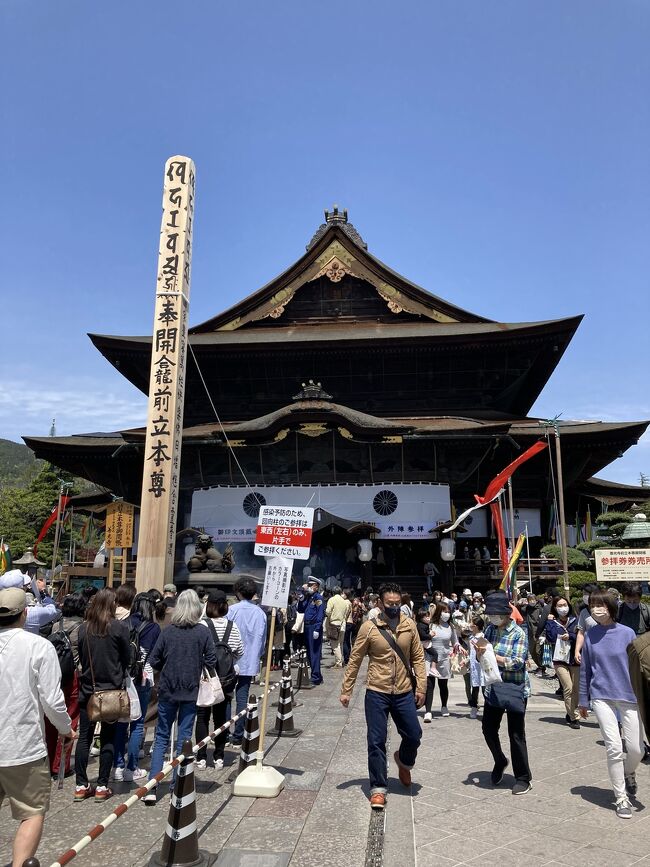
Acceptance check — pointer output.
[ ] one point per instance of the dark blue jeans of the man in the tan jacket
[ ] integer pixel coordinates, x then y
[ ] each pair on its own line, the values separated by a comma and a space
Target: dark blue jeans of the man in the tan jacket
403, 711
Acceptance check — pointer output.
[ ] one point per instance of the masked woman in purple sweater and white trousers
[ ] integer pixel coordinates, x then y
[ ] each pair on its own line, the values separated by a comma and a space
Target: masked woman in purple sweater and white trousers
605, 682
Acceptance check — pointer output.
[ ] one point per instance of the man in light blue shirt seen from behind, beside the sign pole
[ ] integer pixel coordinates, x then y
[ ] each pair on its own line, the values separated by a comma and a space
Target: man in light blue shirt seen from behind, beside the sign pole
251, 621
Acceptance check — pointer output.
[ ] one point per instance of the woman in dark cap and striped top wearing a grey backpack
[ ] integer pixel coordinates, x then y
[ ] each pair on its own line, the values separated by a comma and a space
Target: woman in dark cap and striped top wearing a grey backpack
227, 632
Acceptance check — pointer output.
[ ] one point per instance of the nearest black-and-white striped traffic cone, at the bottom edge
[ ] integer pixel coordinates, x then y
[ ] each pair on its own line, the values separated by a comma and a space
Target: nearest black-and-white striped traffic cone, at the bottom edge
181, 843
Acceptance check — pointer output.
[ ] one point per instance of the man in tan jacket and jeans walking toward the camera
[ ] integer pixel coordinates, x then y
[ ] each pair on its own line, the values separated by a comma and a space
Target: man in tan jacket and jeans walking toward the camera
395, 656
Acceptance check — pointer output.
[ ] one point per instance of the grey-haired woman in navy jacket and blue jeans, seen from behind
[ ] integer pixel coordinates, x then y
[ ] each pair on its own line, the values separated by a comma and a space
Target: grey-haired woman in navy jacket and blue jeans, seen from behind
184, 648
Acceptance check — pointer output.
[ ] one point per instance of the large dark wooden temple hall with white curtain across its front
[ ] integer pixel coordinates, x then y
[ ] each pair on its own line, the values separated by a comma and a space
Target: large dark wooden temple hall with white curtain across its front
342, 385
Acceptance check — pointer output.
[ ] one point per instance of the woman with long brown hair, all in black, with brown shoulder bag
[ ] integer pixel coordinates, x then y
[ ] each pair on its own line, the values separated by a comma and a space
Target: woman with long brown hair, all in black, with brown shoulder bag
103, 645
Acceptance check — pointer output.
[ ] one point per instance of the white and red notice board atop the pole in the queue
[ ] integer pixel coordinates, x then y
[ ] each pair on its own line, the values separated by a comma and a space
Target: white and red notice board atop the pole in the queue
284, 531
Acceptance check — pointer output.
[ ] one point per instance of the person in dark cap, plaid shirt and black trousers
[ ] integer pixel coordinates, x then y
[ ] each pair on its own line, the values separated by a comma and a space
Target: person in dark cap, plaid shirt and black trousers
510, 645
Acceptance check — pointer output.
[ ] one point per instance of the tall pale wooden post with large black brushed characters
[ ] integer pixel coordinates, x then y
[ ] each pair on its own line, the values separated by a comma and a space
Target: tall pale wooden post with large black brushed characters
162, 455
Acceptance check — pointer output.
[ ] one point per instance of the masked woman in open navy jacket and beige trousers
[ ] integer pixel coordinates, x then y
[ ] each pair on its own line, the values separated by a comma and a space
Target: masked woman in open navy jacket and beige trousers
561, 633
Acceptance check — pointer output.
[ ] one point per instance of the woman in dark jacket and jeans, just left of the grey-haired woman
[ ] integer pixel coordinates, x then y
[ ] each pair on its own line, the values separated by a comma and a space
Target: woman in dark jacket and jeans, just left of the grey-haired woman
144, 633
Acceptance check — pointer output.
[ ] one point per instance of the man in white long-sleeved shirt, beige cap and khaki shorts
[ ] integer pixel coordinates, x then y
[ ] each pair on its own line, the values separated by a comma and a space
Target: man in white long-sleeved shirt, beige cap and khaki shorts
30, 675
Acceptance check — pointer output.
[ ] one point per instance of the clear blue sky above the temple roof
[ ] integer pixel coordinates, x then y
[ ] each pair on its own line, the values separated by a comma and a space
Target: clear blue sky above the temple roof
495, 153
